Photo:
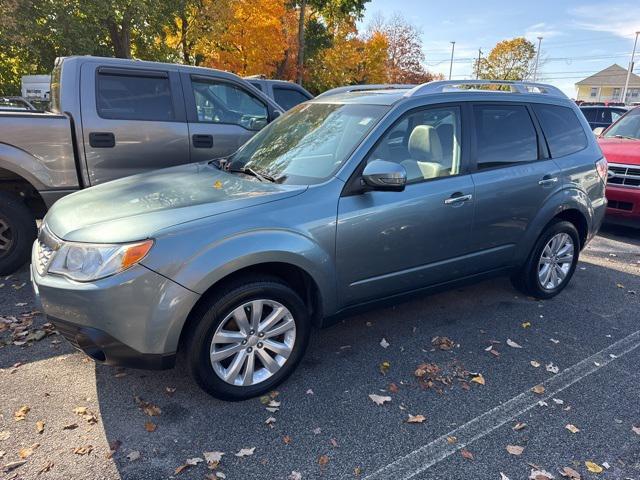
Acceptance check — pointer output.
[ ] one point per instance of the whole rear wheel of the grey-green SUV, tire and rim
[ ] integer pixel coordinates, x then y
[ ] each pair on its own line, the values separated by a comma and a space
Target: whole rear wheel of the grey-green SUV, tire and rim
551, 263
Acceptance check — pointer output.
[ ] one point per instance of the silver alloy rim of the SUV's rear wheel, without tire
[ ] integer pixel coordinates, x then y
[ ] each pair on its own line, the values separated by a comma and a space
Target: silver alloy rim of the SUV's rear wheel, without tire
555, 261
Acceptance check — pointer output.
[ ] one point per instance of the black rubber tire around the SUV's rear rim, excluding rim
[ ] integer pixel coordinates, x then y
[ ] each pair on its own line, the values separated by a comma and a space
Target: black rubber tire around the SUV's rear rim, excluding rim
526, 279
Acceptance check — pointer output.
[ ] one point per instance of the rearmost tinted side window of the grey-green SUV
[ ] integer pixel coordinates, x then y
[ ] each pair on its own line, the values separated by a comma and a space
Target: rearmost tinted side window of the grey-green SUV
562, 129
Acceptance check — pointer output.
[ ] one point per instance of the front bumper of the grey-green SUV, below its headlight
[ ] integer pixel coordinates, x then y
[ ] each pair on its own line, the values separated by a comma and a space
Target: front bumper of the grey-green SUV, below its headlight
131, 319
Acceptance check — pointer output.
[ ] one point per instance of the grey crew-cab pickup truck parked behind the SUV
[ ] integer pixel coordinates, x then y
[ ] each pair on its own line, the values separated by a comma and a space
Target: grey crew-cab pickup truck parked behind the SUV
112, 118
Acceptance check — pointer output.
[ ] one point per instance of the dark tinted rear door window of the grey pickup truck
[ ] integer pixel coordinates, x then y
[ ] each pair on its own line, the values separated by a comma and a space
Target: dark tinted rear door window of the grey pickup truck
131, 97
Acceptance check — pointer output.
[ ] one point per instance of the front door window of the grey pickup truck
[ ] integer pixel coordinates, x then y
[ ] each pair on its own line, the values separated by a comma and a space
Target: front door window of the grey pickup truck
222, 102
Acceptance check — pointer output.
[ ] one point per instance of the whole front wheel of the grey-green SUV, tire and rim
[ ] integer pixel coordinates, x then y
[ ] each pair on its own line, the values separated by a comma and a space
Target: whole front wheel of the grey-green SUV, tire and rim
248, 339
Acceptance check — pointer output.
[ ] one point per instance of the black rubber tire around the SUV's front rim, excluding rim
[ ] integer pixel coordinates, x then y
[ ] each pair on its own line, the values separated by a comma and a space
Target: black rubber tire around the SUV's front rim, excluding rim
213, 311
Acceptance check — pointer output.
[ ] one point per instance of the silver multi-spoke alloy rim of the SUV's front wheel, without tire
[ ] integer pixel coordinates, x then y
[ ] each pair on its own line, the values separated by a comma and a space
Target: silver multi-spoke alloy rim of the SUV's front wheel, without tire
253, 342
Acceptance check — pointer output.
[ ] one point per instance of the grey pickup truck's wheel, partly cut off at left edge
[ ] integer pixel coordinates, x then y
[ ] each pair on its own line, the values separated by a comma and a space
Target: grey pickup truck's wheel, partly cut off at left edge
18, 226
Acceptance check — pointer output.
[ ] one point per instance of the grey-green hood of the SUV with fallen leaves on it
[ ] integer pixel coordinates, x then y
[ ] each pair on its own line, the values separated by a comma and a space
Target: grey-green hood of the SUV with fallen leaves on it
136, 207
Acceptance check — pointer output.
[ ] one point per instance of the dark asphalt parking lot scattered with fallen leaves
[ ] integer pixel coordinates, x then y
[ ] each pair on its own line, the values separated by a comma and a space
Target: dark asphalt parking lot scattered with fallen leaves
104, 423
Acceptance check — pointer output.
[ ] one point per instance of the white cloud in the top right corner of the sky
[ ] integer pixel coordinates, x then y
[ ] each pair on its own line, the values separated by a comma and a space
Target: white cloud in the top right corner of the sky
622, 19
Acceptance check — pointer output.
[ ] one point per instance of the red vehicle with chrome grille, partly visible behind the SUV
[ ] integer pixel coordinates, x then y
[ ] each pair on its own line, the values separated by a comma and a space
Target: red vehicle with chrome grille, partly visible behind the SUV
620, 144
